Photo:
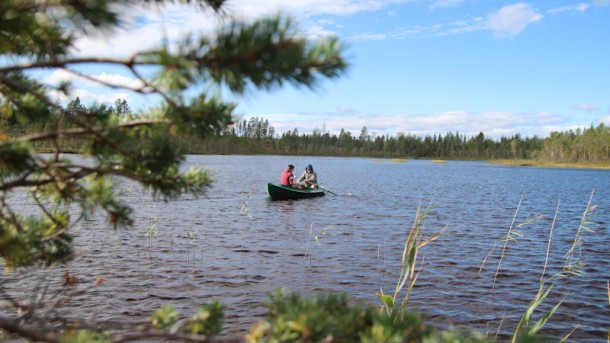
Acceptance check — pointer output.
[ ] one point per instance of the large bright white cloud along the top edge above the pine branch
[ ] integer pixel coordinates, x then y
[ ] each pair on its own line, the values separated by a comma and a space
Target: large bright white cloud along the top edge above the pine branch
147, 27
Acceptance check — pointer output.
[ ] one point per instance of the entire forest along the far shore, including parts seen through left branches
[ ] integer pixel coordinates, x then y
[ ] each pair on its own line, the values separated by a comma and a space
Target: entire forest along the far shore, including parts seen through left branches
257, 136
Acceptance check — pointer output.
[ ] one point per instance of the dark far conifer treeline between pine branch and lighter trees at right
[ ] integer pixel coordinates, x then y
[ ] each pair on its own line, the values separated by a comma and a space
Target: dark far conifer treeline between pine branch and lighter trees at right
256, 136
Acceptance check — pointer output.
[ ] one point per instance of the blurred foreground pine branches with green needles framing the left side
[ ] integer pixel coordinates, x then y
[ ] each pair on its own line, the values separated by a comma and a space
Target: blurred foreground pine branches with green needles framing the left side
37, 37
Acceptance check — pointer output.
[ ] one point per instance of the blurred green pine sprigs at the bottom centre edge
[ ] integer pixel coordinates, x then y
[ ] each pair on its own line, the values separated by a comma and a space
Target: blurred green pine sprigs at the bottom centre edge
330, 318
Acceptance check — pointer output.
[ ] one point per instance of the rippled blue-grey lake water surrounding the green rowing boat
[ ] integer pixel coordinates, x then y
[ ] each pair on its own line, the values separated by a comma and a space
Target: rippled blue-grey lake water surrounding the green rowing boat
242, 245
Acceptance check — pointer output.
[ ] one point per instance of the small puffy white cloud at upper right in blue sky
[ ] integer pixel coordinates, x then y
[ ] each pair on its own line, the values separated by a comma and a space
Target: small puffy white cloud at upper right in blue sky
511, 20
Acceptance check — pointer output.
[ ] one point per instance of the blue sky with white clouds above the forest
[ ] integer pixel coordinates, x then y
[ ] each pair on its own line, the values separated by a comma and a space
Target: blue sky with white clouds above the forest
416, 66
